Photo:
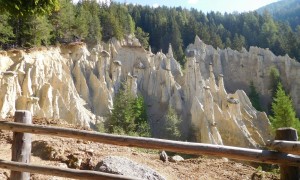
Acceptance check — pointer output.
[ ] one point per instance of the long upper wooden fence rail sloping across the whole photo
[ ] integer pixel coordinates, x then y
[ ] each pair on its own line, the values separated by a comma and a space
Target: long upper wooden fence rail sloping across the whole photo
255, 155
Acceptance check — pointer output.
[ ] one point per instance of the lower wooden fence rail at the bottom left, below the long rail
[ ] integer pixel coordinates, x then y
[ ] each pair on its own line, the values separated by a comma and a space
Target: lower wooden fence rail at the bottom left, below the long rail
58, 171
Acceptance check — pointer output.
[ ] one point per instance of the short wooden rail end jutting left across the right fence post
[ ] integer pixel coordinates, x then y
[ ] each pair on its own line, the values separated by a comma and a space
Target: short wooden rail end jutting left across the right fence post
291, 147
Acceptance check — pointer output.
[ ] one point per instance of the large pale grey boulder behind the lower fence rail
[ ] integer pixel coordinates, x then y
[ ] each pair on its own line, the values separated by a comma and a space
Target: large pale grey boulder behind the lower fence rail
127, 167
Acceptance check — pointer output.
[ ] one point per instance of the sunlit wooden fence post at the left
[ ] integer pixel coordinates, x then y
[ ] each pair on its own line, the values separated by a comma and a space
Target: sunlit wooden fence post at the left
21, 146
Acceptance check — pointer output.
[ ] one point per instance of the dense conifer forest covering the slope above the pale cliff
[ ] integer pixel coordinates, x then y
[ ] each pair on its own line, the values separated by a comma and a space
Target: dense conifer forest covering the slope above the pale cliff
62, 21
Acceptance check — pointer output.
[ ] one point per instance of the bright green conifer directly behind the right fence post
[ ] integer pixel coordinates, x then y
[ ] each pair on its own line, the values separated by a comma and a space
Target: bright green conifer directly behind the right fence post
283, 110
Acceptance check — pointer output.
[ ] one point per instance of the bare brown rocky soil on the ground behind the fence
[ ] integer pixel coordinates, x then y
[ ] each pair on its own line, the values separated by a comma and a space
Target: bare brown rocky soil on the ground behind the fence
74, 153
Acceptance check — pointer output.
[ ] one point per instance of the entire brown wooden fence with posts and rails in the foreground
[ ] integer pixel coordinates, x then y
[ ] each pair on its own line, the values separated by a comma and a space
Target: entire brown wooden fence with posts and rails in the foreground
23, 128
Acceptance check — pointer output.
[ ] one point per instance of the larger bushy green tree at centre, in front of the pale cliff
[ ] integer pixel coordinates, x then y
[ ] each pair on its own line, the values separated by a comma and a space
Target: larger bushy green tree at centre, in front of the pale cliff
129, 114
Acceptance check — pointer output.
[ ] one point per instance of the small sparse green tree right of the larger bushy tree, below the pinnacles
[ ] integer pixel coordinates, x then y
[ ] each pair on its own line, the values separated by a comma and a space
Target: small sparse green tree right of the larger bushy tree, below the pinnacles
171, 126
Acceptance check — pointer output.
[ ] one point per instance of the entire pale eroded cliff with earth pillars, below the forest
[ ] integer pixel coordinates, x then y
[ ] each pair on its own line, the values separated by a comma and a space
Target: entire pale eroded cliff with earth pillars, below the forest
78, 84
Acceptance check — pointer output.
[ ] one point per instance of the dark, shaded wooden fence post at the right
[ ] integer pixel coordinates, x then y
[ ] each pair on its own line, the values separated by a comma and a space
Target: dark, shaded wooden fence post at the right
287, 172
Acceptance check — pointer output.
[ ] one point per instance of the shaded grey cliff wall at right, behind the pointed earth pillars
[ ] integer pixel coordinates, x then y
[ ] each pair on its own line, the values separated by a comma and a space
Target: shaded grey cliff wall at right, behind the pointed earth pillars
240, 68
